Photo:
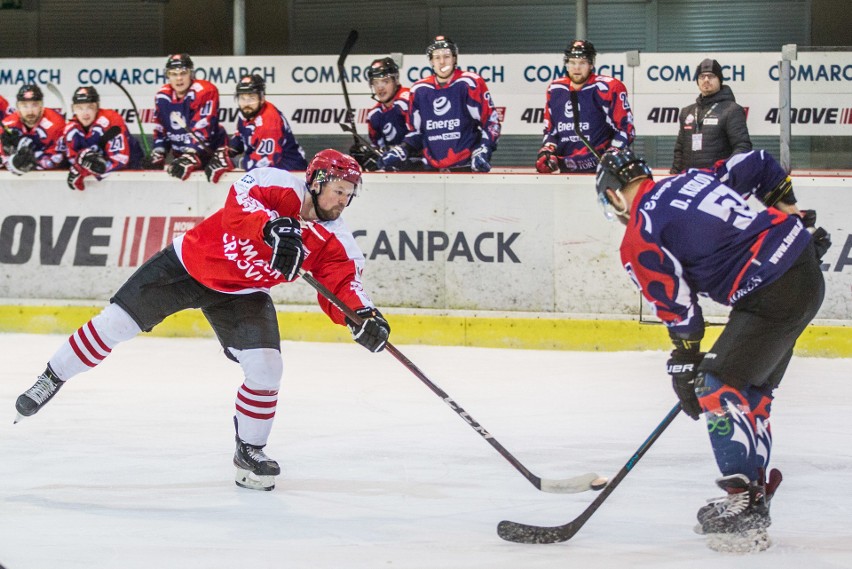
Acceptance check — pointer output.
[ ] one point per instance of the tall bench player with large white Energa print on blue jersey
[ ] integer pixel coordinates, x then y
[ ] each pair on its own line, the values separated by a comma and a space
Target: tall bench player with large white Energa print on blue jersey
452, 120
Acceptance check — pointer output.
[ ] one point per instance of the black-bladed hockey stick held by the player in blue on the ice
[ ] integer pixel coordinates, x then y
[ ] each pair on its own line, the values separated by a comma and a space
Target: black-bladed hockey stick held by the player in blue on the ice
524, 533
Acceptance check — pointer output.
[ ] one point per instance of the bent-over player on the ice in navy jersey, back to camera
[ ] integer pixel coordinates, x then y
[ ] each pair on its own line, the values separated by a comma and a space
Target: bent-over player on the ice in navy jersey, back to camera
694, 235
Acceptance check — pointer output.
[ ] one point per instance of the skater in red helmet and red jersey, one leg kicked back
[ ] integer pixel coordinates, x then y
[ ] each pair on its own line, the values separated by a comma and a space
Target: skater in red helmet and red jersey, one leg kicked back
272, 225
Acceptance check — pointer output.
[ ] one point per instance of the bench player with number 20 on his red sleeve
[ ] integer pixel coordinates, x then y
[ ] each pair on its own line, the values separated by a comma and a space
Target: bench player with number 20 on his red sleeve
263, 135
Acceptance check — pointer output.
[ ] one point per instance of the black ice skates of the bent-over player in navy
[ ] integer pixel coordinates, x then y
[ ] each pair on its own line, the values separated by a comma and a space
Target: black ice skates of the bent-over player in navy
737, 522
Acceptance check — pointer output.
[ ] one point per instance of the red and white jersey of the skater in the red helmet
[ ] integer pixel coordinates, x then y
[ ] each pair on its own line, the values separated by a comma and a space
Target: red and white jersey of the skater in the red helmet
226, 252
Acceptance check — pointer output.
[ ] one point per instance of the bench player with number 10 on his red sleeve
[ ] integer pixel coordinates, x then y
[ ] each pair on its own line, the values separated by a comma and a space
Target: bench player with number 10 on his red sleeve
186, 113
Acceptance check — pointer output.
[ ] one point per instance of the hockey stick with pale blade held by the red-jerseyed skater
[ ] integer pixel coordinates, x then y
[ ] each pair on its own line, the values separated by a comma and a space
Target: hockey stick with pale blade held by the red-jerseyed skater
581, 483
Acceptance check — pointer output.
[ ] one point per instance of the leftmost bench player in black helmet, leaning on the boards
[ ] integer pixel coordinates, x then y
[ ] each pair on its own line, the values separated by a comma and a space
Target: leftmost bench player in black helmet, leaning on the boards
32, 136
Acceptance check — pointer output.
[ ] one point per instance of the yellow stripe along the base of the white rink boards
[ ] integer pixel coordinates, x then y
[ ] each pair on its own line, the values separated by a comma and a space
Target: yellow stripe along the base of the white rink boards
544, 333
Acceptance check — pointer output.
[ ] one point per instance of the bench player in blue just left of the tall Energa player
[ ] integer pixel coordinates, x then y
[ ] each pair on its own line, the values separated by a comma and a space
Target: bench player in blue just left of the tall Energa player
387, 120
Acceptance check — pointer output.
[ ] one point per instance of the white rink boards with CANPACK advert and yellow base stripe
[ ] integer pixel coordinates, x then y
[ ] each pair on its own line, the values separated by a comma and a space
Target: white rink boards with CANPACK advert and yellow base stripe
457, 258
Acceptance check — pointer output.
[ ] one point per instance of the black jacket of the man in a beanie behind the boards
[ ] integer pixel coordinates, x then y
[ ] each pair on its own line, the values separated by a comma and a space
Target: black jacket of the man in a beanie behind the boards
722, 124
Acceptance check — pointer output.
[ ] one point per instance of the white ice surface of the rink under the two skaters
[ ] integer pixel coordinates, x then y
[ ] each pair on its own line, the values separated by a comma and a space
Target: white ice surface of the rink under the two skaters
130, 465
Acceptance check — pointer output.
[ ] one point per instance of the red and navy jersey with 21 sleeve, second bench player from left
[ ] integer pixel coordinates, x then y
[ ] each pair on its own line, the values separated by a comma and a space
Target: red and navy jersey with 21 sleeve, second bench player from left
122, 151
